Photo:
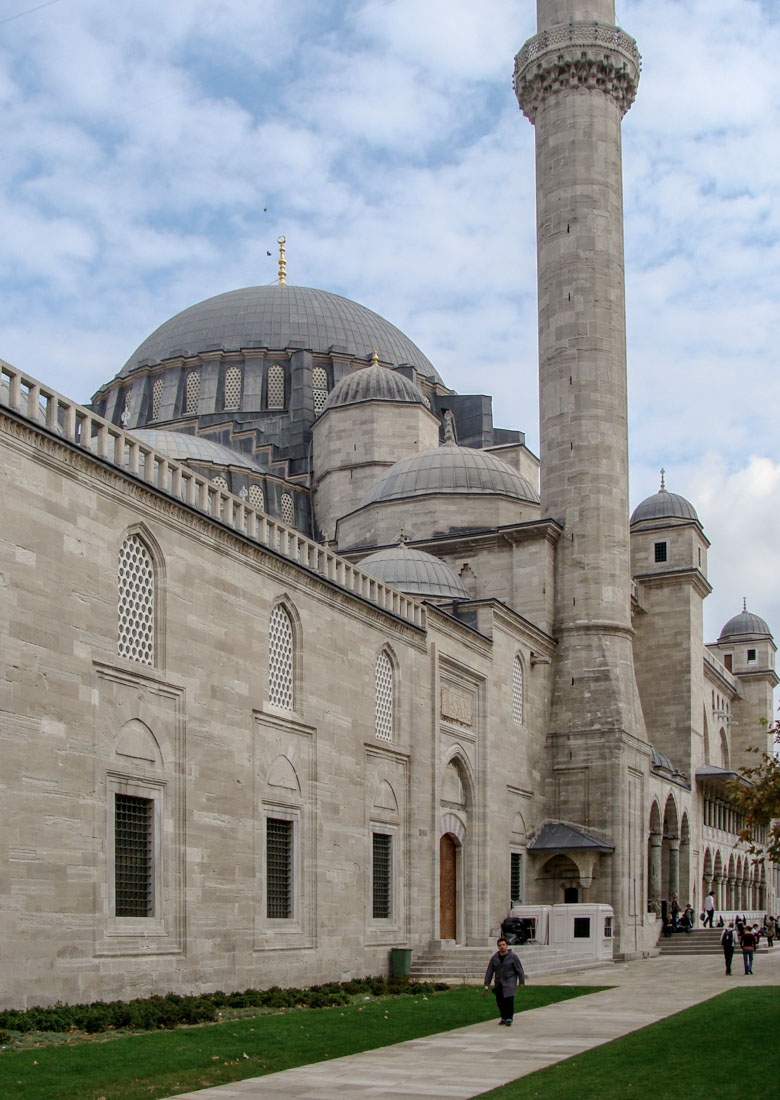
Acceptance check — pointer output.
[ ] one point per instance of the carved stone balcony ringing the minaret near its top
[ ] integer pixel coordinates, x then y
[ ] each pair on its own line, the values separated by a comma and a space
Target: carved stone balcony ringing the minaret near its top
577, 56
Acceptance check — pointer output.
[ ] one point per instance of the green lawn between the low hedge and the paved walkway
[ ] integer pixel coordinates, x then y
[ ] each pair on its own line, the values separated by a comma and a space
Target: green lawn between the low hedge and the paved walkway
164, 1063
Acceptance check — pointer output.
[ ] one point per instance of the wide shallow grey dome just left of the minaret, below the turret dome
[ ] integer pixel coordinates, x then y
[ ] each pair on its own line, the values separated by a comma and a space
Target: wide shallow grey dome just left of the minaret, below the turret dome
452, 469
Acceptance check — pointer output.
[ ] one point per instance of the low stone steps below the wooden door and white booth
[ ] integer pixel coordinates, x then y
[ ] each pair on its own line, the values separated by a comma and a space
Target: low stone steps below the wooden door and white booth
456, 964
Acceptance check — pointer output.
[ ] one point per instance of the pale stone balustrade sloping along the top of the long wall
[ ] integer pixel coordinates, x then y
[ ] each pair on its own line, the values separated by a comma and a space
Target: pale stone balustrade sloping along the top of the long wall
76, 425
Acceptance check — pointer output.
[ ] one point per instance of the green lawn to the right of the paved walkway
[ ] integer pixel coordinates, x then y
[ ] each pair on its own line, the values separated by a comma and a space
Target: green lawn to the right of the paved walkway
726, 1049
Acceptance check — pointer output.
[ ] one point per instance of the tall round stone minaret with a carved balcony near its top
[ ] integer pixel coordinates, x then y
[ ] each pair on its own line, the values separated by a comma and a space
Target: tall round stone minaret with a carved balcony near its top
575, 81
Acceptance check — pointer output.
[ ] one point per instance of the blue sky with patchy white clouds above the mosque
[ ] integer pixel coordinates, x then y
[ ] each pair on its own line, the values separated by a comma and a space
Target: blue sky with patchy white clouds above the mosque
152, 152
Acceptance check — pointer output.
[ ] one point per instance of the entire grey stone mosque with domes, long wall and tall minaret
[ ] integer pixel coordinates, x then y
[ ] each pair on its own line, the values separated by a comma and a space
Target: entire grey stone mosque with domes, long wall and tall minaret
305, 659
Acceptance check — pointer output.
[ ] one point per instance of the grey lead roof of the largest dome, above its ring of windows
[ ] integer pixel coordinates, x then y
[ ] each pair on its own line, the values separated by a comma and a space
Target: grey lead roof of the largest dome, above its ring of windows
280, 317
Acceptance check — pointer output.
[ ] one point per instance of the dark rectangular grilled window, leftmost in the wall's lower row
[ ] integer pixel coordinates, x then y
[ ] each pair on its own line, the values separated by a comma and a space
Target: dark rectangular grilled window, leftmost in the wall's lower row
134, 835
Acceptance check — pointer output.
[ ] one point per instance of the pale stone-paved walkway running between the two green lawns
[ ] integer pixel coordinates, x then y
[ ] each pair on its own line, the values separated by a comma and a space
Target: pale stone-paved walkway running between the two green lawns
462, 1064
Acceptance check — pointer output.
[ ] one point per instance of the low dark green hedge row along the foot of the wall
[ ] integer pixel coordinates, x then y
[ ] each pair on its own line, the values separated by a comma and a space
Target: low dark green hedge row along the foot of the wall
174, 1010
